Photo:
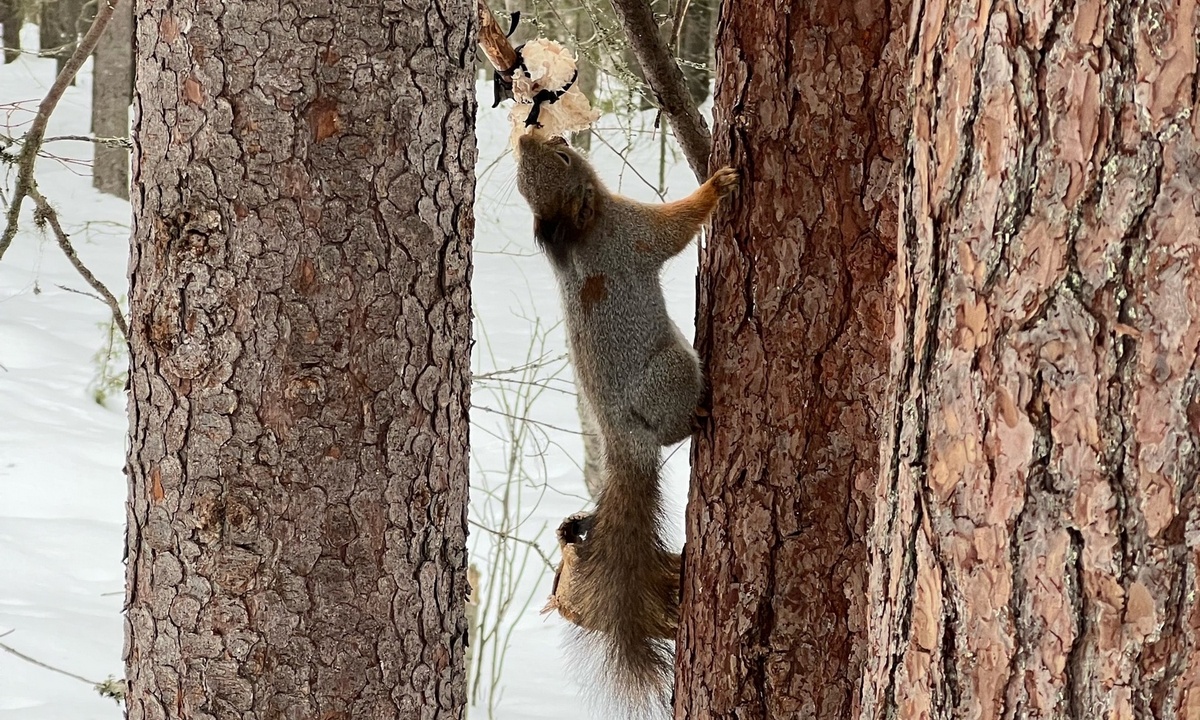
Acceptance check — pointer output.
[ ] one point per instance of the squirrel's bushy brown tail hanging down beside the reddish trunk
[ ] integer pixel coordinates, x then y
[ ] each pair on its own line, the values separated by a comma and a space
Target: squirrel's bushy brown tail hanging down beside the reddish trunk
629, 583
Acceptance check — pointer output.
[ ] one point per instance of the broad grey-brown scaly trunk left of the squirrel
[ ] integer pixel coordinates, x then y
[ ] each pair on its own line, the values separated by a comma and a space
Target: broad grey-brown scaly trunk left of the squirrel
301, 361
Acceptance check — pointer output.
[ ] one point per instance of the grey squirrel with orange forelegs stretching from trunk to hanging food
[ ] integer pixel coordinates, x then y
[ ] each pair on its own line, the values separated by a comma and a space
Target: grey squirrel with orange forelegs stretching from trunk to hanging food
641, 386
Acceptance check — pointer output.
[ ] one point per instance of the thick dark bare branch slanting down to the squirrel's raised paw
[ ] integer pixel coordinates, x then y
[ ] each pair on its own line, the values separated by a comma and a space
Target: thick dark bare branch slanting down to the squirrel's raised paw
667, 81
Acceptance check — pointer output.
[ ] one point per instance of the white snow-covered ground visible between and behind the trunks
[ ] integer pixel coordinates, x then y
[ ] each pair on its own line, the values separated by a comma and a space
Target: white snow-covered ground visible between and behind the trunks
62, 484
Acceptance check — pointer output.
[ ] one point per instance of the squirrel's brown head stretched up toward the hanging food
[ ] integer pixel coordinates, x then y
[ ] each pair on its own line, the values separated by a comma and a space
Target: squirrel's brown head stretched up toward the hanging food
561, 188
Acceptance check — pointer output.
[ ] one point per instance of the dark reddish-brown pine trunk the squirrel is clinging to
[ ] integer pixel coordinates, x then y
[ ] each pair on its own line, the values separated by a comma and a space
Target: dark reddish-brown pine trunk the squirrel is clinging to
793, 326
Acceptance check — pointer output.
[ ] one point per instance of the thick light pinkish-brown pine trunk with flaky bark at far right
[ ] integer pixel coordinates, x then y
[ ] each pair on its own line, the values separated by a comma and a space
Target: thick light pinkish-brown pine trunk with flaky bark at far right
1037, 536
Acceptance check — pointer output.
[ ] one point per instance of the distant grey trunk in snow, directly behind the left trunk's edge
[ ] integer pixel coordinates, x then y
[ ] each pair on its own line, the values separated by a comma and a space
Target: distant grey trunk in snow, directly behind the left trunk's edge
112, 92
